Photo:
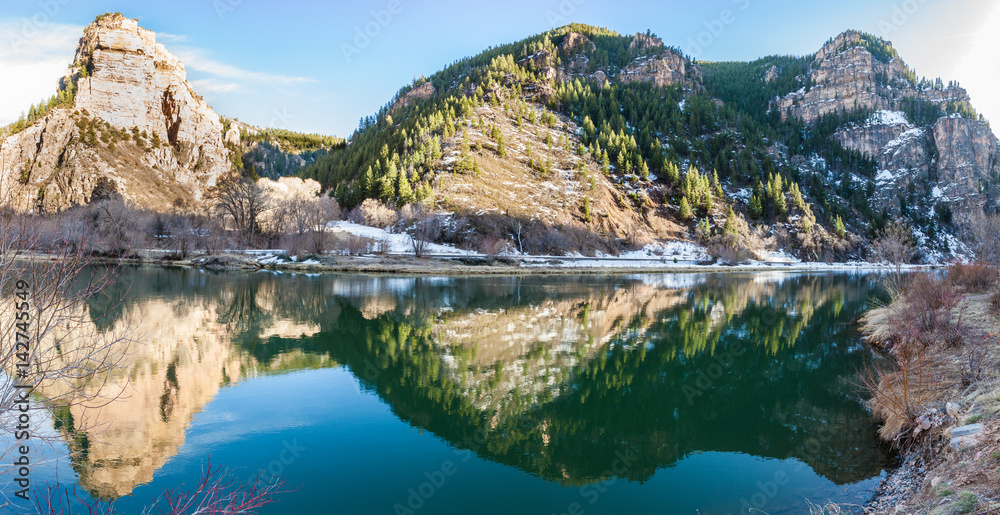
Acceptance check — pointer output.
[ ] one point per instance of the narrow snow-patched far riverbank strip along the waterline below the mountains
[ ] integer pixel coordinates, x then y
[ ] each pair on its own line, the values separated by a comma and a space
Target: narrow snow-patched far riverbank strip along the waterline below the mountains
463, 265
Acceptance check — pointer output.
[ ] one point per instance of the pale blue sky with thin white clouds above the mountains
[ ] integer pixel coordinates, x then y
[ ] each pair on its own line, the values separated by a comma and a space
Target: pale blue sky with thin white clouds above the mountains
300, 65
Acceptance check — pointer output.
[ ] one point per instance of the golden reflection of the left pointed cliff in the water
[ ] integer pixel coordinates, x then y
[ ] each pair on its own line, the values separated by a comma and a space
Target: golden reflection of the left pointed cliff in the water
184, 355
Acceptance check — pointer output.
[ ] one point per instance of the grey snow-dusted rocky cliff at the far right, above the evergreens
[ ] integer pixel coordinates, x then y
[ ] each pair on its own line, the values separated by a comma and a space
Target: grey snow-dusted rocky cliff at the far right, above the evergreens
936, 162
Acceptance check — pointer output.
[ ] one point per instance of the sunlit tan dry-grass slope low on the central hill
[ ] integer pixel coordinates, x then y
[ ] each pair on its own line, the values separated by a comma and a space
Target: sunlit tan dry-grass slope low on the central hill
550, 201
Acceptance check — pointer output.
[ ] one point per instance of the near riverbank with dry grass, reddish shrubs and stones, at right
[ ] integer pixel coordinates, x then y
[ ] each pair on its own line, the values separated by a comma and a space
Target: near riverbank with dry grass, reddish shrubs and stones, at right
941, 402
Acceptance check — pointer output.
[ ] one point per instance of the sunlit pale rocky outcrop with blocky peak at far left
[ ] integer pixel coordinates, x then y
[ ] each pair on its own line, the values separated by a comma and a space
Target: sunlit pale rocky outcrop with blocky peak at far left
136, 123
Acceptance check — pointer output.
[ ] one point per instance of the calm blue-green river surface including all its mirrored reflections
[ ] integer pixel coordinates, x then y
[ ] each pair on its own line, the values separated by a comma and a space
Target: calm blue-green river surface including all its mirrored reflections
637, 394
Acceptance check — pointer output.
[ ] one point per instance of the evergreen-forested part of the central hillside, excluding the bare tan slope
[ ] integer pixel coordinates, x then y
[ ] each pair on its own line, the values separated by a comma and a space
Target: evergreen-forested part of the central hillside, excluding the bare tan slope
693, 139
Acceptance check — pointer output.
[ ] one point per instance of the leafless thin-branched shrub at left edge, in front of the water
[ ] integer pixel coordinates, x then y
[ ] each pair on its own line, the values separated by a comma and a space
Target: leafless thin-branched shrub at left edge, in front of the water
66, 351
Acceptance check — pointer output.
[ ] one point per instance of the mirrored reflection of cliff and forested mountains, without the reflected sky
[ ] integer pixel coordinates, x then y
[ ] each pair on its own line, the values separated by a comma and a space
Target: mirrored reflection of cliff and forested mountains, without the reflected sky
552, 374
